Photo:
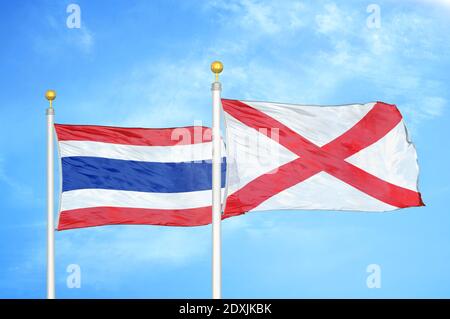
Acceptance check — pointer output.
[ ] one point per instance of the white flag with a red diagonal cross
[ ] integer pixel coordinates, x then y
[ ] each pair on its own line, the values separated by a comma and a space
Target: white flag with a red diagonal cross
352, 157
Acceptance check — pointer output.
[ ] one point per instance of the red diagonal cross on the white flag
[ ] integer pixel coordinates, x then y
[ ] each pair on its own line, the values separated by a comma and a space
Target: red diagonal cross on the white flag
330, 158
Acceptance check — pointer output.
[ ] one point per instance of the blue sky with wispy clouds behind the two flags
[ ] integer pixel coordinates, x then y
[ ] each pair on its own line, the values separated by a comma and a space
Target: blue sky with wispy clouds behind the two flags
146, 63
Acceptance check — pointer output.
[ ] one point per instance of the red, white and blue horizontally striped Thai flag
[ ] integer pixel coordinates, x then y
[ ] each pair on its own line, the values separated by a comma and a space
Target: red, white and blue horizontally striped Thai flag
113, 175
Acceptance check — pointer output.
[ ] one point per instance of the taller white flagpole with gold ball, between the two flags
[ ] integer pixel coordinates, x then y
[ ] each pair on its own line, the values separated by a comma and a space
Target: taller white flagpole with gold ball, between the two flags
216, 88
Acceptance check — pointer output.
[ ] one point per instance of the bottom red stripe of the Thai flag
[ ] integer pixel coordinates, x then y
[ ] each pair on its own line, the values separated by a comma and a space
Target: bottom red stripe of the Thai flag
100, 216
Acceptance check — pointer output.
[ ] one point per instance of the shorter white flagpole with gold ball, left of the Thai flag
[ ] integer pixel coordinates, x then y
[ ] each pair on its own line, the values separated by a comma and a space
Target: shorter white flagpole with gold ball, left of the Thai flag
50, 95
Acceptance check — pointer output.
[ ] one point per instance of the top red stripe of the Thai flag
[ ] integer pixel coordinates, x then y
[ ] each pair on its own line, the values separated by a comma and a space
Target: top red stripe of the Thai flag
134, 136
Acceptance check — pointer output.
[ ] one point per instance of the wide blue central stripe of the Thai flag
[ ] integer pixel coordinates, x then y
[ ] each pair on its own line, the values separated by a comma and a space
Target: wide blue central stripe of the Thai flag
81, 172
